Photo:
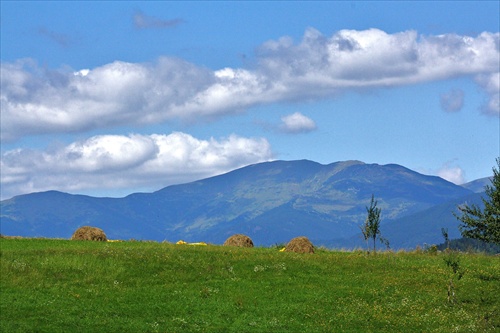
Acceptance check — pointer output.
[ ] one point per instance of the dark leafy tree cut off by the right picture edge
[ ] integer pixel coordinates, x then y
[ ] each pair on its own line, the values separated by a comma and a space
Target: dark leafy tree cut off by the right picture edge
479, 224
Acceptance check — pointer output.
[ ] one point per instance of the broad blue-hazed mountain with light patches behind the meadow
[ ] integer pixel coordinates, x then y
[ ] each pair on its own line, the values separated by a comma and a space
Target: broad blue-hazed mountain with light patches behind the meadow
270, 202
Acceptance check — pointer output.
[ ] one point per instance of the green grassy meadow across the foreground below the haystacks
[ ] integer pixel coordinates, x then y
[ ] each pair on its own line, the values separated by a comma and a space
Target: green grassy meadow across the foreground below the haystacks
78, 286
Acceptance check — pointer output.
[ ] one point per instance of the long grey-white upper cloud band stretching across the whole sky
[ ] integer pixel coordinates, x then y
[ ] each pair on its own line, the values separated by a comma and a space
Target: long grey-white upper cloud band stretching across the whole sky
35, 100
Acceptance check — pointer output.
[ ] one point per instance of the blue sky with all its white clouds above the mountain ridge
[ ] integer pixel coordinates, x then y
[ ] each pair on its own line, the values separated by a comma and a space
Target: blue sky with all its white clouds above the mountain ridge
112, 98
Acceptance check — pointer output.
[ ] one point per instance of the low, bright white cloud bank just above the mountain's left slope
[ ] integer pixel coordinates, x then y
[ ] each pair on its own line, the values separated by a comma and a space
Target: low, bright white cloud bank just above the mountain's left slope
127, 162
